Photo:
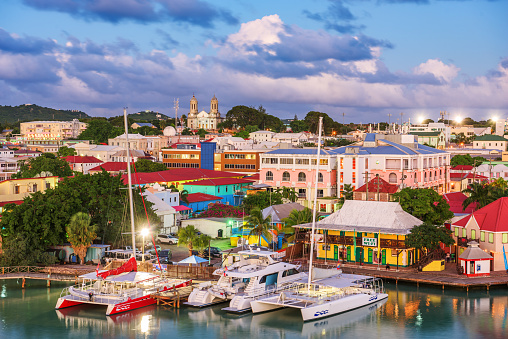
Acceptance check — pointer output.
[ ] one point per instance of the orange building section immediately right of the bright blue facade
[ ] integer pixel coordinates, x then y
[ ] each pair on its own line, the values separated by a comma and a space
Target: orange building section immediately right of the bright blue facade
246, 161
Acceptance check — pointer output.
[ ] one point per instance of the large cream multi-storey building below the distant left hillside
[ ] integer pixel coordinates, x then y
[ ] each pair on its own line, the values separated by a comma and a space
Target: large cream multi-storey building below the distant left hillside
51, 131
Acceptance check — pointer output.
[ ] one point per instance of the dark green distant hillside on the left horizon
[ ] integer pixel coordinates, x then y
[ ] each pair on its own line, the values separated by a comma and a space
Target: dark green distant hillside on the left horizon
10, 114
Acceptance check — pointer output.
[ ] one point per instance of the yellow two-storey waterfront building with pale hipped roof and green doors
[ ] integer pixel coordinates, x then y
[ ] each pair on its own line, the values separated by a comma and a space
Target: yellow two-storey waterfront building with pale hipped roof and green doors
370, 232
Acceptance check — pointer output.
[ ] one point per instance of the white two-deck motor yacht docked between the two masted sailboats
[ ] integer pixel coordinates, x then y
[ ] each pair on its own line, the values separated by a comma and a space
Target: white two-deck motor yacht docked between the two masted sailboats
256, 273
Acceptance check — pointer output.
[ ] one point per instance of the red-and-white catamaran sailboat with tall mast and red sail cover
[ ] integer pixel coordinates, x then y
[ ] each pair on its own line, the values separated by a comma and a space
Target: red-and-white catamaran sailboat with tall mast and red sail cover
122, 289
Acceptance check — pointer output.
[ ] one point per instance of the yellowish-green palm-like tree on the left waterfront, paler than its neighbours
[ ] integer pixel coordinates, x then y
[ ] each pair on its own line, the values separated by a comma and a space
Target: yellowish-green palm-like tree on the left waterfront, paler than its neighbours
81, 234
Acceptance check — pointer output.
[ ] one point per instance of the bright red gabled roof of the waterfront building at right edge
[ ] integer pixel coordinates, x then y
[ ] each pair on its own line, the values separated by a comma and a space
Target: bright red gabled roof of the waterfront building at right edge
491, 218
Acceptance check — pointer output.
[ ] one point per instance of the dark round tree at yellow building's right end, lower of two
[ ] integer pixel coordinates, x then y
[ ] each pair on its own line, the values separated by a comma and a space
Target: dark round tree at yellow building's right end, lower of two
429, 237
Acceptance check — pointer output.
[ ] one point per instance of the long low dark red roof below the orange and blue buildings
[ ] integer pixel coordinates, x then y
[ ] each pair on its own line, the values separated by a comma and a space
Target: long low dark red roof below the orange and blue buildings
178, 174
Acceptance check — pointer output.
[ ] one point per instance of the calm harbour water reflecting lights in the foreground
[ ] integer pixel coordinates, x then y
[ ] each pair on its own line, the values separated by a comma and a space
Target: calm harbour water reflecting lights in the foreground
409, 312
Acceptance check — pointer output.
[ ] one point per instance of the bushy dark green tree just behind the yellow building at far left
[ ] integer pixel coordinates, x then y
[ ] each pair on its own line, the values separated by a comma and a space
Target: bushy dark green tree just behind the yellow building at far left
47, 162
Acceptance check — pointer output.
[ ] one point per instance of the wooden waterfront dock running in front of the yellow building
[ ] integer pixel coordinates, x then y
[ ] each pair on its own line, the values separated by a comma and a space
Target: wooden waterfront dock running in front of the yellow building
443, 279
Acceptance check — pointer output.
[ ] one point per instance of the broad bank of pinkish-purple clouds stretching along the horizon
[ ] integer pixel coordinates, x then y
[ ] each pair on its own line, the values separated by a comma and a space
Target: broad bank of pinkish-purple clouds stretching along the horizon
265, 62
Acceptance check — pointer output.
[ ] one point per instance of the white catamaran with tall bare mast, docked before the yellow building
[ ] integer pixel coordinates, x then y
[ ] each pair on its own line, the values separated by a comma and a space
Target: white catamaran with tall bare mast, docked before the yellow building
326, 292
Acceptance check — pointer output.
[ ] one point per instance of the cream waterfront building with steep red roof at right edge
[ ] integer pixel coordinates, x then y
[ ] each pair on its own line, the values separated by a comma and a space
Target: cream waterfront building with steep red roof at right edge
488, 226
